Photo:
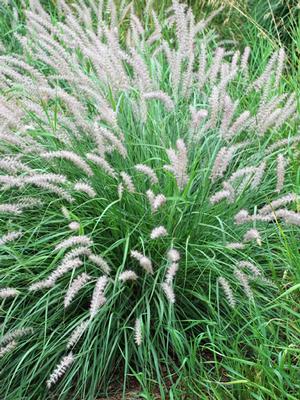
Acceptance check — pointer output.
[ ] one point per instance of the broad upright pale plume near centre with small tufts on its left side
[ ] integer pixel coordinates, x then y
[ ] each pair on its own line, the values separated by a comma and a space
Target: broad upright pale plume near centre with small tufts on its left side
178, 165
